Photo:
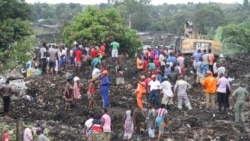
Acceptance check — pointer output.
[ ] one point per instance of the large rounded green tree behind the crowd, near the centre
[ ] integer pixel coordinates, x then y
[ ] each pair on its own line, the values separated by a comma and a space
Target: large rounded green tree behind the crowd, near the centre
95, 26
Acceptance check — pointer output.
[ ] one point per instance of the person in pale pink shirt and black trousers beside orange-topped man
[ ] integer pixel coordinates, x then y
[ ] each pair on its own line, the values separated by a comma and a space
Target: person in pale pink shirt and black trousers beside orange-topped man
222, 85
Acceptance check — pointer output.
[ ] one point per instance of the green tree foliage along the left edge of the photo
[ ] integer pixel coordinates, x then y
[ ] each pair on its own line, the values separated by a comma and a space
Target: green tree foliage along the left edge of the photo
14, 30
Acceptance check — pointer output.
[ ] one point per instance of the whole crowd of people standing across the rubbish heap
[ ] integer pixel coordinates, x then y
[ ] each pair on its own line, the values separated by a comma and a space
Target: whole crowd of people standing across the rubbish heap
162, 79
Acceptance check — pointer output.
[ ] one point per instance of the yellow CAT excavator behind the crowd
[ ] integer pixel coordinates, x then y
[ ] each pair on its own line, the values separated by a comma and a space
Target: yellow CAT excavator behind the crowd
192, 42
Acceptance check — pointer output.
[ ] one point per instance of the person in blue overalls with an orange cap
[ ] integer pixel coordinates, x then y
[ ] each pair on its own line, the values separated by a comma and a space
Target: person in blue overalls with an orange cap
105, 88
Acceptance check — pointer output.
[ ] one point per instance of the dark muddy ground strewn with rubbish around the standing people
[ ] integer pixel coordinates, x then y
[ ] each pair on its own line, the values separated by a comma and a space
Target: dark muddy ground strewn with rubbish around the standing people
45, 105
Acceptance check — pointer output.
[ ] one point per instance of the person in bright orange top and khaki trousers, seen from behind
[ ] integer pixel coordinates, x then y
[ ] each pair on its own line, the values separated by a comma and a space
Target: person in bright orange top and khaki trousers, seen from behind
209, 84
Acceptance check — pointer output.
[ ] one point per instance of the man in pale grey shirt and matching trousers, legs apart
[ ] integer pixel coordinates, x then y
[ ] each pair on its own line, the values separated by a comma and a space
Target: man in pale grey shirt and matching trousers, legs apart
180, 90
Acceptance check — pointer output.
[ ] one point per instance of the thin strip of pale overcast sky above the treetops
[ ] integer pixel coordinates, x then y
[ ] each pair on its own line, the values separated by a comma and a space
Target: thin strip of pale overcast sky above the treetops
154, 2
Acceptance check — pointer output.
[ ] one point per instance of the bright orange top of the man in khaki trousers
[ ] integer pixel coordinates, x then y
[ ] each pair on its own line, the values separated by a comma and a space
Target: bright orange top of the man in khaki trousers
209, 84
